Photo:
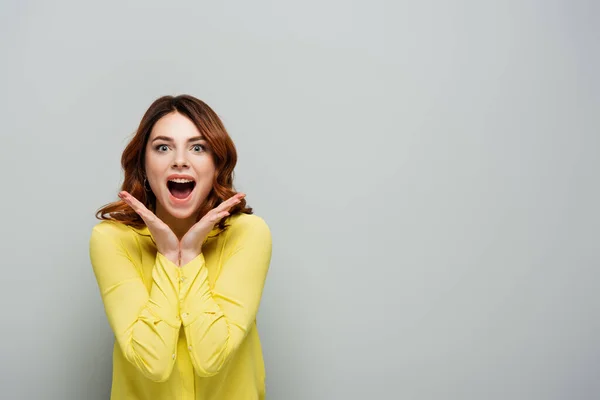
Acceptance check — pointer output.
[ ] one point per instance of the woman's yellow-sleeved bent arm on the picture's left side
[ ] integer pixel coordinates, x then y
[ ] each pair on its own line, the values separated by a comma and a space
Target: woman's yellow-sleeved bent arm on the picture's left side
146, 325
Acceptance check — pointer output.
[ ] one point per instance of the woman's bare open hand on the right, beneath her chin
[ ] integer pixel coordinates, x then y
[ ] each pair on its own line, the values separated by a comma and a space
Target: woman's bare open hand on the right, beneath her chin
191, 243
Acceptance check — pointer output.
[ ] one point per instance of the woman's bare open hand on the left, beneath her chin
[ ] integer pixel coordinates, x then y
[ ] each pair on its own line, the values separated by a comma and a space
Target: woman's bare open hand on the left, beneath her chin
166, 241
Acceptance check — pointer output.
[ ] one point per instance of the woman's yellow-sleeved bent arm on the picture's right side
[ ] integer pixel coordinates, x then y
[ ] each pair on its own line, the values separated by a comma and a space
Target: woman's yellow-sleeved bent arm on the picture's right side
216, 321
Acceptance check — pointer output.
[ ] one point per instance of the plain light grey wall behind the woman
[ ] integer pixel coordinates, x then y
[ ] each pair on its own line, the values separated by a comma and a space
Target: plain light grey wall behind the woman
429, 171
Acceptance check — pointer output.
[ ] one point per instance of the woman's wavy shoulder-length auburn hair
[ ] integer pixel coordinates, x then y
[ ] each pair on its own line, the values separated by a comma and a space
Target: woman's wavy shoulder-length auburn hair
222, 151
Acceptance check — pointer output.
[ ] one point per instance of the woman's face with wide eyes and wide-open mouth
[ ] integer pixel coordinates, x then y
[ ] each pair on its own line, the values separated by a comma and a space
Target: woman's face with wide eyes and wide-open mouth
179, 166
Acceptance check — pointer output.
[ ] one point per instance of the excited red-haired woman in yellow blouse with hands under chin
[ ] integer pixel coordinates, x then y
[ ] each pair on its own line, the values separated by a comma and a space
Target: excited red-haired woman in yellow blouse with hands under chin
181, 262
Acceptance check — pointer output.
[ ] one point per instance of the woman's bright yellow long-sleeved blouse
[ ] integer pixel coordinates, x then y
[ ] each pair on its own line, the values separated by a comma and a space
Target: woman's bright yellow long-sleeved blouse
214, 298
